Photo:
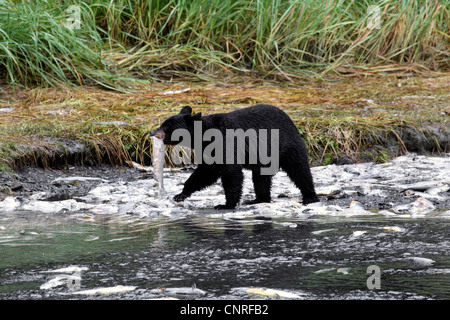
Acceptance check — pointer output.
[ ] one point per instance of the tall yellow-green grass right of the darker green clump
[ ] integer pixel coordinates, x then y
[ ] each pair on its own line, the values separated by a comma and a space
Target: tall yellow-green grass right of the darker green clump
287, 37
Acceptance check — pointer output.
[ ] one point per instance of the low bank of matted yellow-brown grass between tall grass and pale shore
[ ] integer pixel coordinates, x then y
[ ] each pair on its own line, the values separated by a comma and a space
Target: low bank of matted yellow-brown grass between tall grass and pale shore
346, 121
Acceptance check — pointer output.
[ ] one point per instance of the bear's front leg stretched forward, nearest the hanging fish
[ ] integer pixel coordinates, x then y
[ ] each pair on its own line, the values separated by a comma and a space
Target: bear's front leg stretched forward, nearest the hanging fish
202, 177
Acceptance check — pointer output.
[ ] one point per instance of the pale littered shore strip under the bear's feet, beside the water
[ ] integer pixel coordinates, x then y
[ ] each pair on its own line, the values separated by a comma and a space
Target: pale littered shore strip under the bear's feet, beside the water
408, 186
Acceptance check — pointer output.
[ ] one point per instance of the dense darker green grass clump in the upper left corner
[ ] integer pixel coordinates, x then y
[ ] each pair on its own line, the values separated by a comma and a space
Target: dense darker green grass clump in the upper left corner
38, 48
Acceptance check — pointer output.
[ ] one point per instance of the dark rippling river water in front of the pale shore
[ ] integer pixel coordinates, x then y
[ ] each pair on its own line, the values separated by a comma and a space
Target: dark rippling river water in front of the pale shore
225, 258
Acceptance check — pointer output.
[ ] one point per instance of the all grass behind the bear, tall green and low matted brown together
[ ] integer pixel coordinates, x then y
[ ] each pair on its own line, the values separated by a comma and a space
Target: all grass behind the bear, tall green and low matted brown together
353, 84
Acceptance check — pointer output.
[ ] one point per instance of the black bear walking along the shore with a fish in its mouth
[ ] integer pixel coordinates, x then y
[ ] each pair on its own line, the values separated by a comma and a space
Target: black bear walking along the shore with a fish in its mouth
263, 129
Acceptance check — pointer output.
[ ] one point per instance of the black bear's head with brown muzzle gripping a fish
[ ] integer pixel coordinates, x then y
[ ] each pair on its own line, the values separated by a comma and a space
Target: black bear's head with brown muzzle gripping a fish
184, 120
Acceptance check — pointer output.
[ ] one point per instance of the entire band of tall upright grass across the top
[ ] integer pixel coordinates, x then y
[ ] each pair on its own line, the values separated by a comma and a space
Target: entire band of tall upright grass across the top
166, 38
